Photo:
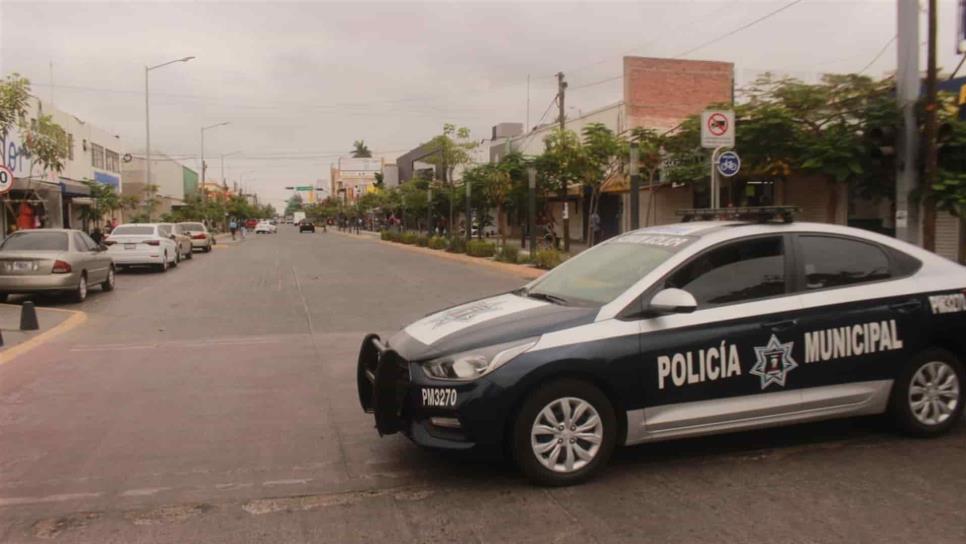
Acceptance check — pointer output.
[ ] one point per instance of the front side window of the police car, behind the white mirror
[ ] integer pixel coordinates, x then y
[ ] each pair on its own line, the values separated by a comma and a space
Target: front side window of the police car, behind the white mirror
736, 272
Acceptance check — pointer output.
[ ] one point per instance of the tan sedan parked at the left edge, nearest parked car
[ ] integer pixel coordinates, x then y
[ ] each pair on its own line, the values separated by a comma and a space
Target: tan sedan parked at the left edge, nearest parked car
53, 261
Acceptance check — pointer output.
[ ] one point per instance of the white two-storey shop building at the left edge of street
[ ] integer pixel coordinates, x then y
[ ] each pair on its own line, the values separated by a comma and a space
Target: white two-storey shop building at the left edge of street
50, 199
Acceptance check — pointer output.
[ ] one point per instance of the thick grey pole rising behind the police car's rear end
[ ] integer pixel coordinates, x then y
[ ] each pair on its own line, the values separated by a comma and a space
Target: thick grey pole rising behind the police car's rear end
907, 141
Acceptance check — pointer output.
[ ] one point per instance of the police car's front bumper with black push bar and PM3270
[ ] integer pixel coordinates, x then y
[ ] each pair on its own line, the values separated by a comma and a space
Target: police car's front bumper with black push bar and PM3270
460, 415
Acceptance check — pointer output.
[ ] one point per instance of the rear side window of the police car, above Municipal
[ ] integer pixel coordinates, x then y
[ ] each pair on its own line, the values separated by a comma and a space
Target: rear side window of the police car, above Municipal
832, 262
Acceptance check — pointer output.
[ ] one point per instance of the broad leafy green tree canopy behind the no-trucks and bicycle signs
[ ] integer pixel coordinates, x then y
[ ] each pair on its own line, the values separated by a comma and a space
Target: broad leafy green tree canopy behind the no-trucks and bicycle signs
787, 126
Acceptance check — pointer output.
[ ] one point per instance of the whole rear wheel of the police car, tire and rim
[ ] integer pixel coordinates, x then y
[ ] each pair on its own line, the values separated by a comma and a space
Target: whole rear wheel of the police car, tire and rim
933, 379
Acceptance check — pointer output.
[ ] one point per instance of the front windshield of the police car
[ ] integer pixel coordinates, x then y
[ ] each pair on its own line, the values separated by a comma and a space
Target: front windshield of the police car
598, 276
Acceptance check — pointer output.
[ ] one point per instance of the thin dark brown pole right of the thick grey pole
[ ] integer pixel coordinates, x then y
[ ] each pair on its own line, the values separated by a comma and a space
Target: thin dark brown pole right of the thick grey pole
931, 170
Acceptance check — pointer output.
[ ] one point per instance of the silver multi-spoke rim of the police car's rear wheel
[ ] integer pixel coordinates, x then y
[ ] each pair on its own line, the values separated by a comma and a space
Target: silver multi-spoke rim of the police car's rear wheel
934, 393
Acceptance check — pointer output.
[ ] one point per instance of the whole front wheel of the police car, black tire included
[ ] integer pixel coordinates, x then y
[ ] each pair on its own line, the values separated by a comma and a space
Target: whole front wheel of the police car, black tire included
527, 438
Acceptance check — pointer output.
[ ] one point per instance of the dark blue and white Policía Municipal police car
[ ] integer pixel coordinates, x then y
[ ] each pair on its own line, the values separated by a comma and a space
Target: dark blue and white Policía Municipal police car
678, 331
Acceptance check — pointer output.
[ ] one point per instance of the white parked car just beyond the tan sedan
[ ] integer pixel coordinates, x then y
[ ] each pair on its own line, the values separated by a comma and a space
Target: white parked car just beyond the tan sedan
138, 244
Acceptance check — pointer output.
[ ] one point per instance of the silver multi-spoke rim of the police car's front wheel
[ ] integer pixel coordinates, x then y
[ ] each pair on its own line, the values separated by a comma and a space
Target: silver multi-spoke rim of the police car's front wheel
566, 434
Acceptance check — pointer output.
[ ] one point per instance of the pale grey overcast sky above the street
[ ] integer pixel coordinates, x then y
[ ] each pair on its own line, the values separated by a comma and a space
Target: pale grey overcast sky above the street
300, 81
